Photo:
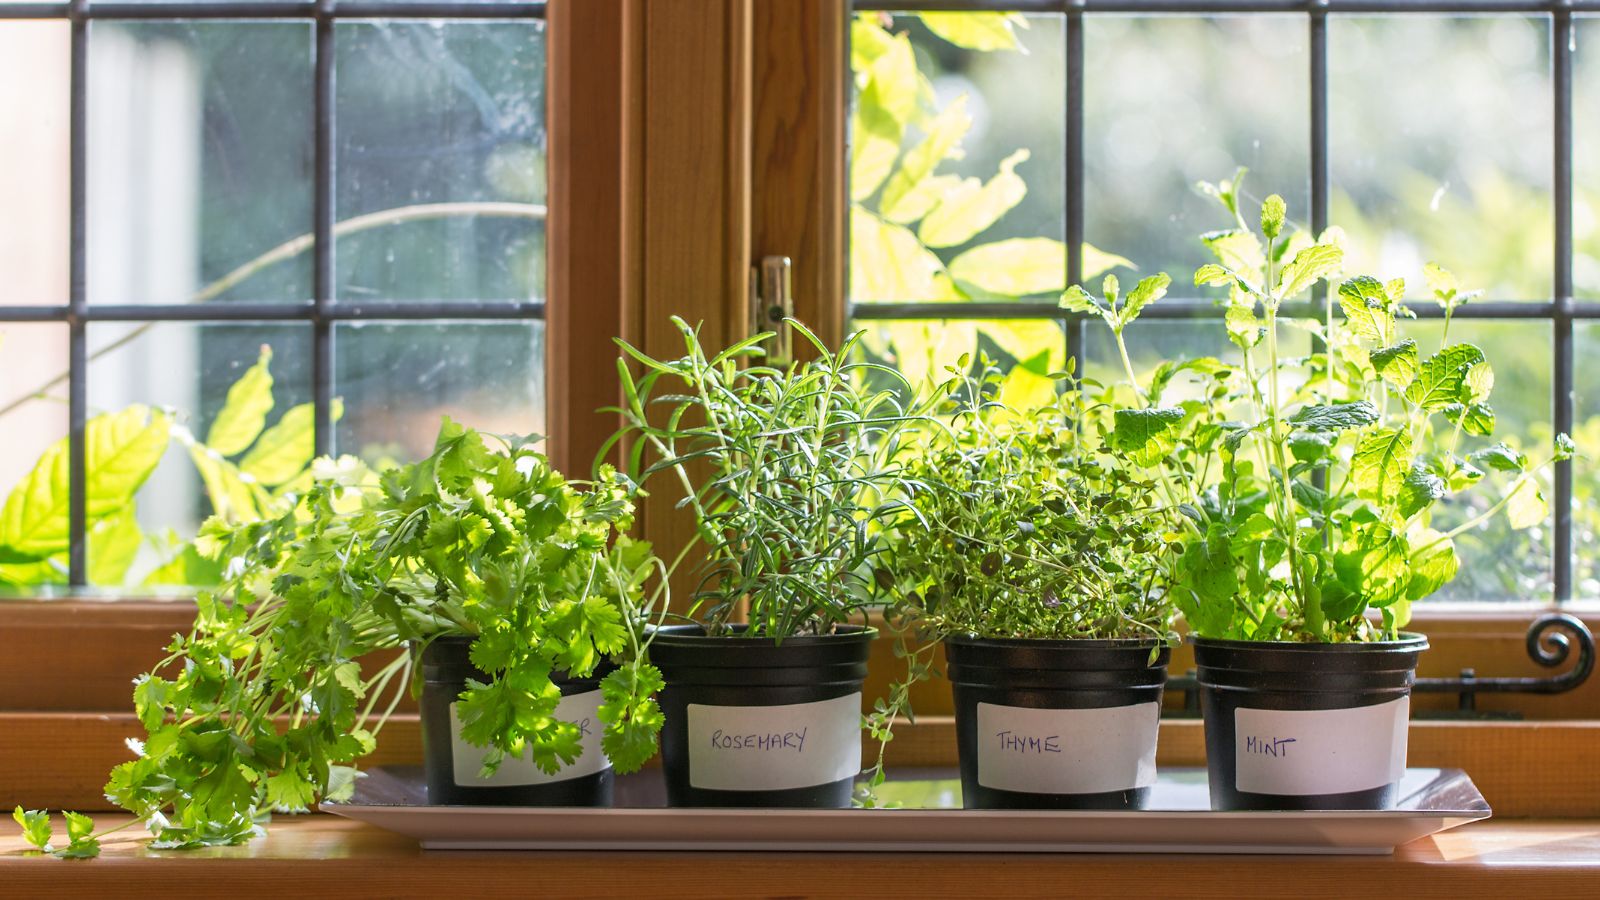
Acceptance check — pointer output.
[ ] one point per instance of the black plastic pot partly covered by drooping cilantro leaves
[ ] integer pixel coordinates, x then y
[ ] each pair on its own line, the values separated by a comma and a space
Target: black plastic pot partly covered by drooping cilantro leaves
454, 766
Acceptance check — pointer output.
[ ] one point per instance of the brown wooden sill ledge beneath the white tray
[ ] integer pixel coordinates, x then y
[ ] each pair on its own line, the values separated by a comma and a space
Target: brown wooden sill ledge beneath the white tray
346, 859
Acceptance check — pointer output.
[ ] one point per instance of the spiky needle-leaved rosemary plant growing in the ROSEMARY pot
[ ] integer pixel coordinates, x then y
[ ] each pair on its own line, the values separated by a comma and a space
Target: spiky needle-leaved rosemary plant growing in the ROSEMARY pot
790, 472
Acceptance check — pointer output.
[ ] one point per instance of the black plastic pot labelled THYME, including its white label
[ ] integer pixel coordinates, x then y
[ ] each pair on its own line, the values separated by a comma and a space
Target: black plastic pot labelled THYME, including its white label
1057, 725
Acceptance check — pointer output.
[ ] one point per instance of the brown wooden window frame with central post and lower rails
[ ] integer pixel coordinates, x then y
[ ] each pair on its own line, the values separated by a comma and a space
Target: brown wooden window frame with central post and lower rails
689, 139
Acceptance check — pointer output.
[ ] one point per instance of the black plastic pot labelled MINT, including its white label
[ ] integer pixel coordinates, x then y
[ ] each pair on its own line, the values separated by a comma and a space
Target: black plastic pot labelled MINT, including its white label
1306, 726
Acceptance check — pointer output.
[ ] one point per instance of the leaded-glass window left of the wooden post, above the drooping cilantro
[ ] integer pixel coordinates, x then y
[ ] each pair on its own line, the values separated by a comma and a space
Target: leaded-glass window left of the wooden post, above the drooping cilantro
242, 235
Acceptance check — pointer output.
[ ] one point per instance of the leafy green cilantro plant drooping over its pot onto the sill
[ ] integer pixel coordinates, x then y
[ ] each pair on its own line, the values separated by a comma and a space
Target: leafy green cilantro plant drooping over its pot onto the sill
300, 657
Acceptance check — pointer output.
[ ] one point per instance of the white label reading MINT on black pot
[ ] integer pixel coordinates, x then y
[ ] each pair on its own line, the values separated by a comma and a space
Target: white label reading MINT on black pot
1321, 752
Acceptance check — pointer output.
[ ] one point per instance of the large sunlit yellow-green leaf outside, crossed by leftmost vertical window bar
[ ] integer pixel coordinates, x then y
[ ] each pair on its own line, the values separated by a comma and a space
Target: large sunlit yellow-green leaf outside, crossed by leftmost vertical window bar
122, 449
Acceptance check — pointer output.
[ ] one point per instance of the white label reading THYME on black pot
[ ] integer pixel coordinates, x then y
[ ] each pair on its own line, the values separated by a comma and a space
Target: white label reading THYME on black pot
1068, 752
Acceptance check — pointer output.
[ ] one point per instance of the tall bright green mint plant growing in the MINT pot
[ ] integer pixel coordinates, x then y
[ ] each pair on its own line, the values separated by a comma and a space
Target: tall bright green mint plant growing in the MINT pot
1308, 484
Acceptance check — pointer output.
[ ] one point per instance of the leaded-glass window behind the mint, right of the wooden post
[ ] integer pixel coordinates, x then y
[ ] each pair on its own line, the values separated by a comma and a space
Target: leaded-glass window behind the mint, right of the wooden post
1065, 140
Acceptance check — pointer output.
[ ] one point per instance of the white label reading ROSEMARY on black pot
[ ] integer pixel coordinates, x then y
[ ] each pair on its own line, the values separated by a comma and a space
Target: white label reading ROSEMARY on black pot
772, 749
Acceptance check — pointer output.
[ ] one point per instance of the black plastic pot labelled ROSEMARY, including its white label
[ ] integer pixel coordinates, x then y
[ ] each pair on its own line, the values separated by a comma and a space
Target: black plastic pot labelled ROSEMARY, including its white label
756, 723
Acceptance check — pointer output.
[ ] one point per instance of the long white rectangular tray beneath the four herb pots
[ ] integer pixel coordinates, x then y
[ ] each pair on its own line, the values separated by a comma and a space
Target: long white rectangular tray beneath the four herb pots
1180, 821
